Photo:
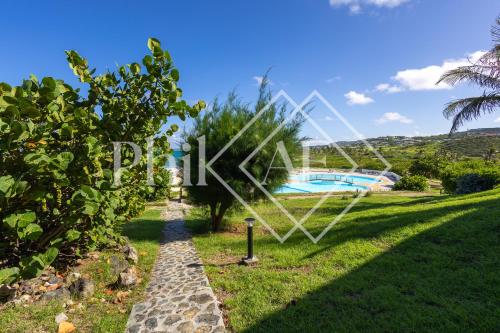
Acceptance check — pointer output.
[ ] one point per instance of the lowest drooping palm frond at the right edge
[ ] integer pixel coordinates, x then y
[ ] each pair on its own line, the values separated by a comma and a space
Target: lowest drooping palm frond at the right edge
467, 109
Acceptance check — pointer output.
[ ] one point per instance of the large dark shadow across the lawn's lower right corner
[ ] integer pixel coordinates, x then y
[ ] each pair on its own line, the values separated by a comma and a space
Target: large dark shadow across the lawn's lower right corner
444, 279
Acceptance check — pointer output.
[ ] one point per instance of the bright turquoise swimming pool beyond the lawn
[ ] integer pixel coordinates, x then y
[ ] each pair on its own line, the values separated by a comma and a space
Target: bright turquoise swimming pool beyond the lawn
325, 182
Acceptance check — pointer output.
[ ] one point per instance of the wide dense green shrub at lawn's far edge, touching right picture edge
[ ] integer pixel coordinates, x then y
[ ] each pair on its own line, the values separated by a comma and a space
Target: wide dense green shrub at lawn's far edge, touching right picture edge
455, 177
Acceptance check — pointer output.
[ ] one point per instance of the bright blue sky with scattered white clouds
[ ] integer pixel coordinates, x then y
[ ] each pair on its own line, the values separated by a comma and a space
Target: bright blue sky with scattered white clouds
369, 58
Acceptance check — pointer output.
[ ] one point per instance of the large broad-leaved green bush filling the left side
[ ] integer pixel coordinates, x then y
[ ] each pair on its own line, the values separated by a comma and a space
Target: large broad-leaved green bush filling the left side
56, 194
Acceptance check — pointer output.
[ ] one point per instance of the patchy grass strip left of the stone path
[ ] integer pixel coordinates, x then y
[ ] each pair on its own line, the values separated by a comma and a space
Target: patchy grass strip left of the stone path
97, 316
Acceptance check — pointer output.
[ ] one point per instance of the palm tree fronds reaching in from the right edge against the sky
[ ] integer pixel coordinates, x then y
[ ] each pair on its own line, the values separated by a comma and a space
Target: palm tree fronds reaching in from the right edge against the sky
485, 73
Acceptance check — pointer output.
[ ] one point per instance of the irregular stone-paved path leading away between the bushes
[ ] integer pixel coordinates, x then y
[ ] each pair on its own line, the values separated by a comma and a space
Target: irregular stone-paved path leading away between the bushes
178, 297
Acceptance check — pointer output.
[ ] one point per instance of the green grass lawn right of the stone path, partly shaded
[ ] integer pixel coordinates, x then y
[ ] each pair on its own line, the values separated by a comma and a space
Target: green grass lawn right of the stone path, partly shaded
393, 264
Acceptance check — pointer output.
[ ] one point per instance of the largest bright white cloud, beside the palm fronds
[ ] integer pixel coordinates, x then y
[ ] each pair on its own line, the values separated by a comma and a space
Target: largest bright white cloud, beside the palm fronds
425, 78
